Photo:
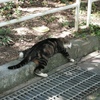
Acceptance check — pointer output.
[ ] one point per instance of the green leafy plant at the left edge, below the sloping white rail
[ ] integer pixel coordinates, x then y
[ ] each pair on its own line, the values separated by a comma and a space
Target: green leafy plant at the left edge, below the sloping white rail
5, 39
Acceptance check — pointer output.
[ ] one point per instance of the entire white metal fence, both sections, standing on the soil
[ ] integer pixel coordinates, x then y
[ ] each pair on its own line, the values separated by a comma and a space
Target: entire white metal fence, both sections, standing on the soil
54, 10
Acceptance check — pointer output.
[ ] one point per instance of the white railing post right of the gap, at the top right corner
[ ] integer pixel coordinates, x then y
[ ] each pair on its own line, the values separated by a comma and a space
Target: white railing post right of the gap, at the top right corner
89, 11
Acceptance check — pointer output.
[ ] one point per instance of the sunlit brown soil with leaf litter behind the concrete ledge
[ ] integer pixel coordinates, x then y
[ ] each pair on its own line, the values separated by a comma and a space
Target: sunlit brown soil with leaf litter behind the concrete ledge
23, 34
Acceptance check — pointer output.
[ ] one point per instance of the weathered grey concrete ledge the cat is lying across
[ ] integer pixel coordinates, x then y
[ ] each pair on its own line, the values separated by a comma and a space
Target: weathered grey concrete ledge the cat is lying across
80, 48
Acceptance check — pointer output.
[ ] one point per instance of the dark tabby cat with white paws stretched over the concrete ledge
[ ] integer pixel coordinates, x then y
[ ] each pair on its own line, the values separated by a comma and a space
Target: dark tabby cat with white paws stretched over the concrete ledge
42, 51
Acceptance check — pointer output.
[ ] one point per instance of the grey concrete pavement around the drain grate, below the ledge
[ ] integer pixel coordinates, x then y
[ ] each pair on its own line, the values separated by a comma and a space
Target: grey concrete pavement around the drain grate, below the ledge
90, 62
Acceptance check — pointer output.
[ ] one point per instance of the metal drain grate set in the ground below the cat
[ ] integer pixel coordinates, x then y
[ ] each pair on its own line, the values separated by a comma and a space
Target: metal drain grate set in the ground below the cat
72, 83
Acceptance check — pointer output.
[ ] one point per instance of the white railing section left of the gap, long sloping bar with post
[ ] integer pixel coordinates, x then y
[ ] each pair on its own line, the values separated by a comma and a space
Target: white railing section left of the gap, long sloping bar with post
54, 10
